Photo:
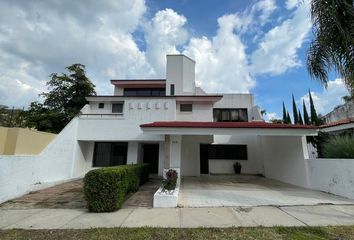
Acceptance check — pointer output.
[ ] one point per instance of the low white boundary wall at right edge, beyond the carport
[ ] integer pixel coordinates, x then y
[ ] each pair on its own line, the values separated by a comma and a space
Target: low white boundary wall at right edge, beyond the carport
332, 175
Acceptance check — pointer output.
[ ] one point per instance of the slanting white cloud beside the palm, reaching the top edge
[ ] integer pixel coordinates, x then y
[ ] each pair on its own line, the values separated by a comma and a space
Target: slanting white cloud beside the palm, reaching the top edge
277, 51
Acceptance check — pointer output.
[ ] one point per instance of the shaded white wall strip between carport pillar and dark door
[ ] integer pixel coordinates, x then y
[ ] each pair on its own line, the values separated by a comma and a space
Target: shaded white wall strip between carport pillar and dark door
190, 165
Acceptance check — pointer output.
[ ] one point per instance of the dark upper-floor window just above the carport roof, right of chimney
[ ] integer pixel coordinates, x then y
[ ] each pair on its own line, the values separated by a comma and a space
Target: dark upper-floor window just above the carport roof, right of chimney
230, 115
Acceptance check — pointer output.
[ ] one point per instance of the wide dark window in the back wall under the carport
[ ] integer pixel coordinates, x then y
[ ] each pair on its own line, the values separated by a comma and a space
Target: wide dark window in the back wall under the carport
232, 152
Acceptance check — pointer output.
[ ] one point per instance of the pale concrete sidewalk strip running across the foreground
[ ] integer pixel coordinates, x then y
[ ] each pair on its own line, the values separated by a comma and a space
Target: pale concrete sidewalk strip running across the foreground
318, 215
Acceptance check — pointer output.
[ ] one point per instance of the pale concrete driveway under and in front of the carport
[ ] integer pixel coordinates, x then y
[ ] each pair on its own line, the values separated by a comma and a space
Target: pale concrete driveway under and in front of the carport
248, 191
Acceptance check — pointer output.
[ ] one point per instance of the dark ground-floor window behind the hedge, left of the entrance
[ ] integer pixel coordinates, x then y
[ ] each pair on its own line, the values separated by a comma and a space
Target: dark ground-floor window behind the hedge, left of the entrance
110, 154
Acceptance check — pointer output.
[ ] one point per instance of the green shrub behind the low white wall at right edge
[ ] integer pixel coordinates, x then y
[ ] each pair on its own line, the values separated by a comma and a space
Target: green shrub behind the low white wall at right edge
339, 147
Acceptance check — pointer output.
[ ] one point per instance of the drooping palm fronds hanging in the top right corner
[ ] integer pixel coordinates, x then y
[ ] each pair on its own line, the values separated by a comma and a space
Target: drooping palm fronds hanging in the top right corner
333, 45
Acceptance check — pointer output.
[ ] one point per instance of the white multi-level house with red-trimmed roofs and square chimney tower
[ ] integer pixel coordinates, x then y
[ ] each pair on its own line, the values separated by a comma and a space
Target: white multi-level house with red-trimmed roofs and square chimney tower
172, 123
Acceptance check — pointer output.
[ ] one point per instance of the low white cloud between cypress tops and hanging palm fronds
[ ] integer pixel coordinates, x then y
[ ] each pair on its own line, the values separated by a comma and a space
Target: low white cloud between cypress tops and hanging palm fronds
328, 99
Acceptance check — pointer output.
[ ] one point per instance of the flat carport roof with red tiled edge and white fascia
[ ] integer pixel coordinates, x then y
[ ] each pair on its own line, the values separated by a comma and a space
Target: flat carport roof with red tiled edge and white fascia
229, 128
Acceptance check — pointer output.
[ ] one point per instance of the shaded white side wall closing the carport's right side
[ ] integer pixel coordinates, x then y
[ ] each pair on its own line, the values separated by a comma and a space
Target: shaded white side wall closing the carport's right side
283, 159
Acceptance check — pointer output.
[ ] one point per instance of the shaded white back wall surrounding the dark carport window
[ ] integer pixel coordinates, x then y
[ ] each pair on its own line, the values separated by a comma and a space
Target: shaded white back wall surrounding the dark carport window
252, 165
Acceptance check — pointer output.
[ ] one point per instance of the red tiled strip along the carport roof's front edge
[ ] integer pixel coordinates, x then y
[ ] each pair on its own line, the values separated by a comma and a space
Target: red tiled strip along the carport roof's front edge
258, 124
